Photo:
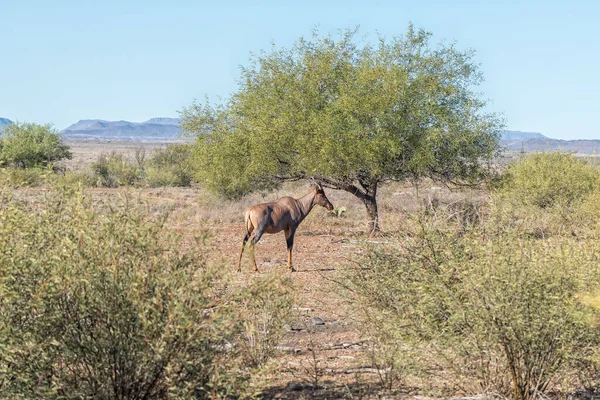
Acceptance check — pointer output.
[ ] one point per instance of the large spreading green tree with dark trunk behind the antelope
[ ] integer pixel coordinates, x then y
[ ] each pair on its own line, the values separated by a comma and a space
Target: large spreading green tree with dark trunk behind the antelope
348, 115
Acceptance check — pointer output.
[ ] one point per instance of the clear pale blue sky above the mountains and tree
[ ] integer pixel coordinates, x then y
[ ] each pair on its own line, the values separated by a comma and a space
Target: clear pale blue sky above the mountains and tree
66, 60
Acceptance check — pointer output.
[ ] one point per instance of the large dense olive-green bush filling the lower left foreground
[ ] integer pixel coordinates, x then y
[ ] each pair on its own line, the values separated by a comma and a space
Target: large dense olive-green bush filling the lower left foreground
110, 305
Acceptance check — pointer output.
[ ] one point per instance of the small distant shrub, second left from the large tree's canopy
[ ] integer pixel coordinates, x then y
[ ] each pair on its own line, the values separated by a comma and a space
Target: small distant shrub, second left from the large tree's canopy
113, 170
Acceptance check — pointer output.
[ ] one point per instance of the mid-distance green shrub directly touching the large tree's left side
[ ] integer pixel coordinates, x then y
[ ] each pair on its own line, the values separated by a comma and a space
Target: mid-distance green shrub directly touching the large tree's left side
170, 167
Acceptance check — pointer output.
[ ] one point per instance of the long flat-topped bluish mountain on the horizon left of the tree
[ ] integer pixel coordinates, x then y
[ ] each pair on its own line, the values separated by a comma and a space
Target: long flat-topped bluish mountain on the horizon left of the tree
153, 130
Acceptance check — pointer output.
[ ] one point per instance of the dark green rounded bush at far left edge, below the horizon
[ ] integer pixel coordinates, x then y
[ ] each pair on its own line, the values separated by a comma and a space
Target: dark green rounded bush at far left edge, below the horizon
28, 145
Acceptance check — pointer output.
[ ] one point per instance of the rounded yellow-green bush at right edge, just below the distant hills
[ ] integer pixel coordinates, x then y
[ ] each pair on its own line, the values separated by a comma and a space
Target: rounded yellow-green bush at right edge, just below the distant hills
549, 180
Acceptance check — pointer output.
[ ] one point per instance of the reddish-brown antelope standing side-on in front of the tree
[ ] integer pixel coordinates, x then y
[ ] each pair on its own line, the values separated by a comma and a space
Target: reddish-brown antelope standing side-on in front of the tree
284, 215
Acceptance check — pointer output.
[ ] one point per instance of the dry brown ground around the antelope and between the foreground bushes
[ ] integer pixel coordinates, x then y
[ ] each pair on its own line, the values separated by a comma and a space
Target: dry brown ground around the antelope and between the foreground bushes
316, 361
